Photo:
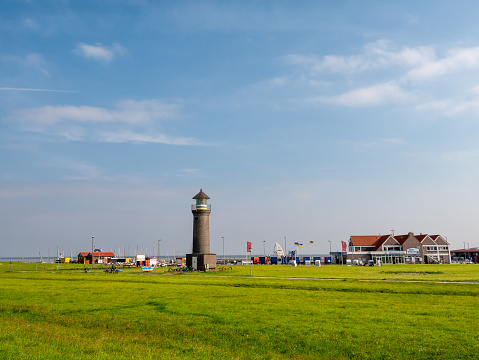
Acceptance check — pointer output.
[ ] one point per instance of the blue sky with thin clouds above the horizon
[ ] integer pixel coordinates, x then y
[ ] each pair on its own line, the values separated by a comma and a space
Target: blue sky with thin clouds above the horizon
301, 120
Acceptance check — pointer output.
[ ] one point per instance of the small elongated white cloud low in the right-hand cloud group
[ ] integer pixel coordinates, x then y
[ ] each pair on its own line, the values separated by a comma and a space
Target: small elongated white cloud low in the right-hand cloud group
368, 96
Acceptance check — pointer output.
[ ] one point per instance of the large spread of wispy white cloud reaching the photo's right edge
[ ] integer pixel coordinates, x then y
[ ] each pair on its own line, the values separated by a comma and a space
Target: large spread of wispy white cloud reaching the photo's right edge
384, 74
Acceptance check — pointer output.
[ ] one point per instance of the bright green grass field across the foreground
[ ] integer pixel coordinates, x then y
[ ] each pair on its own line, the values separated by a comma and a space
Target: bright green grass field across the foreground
332, 312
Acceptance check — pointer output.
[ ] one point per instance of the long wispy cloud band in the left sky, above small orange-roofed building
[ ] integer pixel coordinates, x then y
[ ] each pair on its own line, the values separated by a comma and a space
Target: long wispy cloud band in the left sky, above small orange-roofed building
129, 122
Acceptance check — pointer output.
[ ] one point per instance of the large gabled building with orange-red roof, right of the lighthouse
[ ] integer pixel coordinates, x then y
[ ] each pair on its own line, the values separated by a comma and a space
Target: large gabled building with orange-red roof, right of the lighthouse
399, 249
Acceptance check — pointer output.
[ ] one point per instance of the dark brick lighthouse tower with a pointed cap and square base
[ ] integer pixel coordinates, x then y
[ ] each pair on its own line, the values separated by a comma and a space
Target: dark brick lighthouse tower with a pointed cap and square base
201, 257
